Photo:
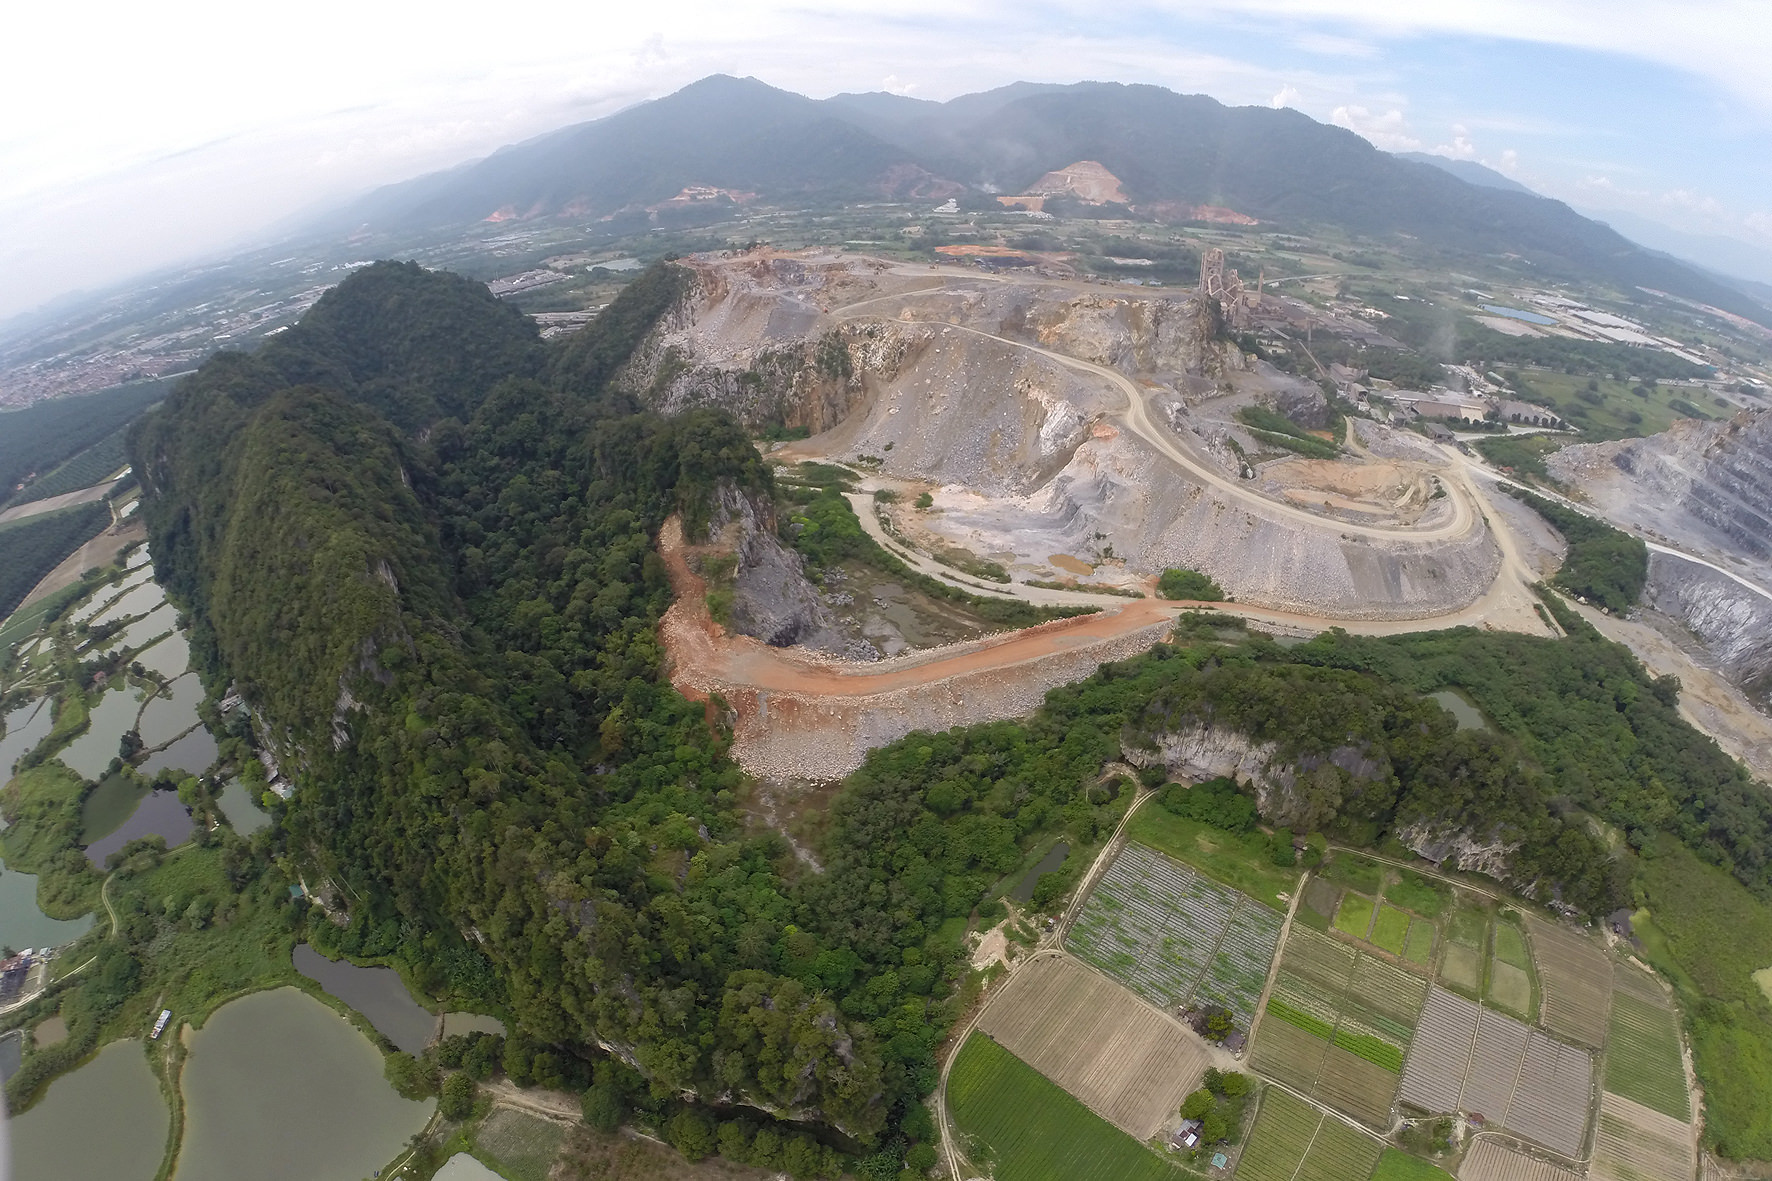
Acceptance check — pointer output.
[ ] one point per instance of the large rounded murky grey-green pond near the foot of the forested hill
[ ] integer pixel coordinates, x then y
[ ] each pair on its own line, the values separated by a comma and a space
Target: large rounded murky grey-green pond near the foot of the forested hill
281, 1088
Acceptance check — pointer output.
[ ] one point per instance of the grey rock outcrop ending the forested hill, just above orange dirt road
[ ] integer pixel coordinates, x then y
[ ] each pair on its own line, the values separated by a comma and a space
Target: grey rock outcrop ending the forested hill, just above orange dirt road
772, 598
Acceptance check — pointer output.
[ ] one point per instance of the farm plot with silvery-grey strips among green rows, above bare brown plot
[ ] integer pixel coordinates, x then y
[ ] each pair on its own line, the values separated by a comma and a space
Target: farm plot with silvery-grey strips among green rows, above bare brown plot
1177, 937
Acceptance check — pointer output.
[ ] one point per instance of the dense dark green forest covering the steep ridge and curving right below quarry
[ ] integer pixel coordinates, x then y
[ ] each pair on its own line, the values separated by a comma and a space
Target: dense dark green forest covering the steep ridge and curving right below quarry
444, 602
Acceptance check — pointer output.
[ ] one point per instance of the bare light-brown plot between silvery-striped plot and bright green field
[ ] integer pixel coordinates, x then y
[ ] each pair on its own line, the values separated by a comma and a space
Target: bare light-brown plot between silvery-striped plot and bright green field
1124, 1061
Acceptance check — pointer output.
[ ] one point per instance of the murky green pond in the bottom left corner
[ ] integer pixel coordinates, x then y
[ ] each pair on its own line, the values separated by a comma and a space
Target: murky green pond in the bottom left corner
107, 1120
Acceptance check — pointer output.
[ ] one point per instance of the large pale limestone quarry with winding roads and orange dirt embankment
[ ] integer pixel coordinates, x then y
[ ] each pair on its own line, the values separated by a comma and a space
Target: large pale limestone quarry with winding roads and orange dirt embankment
1082, 437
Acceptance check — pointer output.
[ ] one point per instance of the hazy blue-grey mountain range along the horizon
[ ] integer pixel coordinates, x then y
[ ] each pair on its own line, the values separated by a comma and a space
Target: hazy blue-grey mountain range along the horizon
1172, 153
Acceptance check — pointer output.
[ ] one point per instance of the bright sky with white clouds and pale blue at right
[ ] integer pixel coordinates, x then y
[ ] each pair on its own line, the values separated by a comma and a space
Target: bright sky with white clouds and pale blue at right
146, 136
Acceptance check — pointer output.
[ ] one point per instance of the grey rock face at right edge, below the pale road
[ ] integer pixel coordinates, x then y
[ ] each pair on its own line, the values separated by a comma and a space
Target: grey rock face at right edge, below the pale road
1730, 620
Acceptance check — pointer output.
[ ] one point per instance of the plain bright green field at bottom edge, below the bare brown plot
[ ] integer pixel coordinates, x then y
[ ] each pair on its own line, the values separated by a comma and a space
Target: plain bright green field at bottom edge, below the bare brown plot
1030, 1130
